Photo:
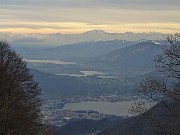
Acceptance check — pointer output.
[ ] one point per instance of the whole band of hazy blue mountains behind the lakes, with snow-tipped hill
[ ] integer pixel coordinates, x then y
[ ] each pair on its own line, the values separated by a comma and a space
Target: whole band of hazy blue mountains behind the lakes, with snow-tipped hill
115, 57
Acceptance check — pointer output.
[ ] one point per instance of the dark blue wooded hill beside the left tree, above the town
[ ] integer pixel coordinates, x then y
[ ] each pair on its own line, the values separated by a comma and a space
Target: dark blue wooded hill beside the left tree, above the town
54, 86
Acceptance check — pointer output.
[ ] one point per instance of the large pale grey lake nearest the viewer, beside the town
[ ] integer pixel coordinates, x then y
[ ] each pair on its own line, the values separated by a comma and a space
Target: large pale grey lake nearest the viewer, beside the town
118, 109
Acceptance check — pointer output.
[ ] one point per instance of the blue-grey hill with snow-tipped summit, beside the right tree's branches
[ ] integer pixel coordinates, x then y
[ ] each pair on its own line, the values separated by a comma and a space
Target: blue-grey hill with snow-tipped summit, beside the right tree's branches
136, 59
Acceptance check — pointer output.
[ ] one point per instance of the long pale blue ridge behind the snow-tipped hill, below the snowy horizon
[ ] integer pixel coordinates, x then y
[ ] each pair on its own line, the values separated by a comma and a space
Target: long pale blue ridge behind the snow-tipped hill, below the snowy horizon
78, 50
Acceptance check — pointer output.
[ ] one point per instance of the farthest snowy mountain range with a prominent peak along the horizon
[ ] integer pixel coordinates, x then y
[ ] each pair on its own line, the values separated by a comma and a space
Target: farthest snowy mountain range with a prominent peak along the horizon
57, 39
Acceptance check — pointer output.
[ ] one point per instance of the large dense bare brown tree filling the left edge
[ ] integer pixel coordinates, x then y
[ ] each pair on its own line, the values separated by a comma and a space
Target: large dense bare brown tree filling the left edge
20, 97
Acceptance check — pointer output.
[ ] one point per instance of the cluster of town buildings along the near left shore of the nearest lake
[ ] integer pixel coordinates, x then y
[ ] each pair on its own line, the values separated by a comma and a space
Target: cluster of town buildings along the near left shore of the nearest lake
59, 117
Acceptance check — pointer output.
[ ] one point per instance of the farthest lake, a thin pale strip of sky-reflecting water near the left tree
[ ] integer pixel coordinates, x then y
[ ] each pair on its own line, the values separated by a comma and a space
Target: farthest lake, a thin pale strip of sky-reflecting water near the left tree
51, 62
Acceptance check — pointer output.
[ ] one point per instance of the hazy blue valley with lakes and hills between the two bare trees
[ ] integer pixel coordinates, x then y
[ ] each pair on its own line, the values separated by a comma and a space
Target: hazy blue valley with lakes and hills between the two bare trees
90, 81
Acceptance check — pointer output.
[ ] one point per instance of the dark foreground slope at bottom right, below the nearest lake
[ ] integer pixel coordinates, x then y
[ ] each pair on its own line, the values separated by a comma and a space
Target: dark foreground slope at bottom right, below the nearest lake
142, 125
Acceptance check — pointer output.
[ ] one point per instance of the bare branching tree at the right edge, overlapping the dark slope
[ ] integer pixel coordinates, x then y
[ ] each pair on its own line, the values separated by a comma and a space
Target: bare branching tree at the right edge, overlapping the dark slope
165, 116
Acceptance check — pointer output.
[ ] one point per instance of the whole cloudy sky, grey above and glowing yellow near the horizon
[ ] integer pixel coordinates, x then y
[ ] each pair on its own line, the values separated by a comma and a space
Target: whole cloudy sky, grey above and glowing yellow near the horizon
77, 16
